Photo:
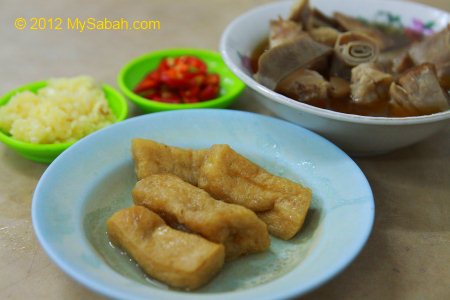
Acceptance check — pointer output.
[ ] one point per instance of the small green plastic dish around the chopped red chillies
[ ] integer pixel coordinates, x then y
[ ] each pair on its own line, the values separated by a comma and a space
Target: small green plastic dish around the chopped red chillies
133, 72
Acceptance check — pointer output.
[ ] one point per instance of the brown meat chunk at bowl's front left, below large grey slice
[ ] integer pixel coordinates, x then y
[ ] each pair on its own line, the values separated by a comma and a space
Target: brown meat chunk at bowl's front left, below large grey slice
304, 85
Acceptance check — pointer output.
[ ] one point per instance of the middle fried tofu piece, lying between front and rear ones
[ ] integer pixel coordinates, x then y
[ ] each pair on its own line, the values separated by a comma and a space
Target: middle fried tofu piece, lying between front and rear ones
180, 203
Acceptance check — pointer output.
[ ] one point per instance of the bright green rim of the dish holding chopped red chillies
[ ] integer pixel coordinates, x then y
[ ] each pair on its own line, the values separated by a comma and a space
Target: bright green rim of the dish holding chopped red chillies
236, 88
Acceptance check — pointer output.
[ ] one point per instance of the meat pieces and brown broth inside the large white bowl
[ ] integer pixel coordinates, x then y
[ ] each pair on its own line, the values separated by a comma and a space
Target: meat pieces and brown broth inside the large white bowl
347, 65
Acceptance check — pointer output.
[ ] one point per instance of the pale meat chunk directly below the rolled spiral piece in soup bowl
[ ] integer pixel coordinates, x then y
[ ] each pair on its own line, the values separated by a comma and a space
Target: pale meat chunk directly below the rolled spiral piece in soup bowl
369, 84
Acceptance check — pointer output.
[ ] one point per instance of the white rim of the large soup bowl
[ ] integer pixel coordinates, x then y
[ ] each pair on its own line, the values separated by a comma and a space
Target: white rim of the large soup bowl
320, 112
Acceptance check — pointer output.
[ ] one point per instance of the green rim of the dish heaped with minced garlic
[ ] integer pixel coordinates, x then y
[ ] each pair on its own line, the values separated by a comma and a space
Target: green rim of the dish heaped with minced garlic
12, 142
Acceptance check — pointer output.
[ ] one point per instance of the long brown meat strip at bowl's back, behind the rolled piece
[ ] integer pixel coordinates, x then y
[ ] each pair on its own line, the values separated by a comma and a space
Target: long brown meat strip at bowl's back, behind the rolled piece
352, 24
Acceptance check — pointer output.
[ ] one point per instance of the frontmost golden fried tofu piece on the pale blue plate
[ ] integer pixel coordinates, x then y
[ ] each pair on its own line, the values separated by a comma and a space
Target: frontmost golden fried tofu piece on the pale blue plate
180, 259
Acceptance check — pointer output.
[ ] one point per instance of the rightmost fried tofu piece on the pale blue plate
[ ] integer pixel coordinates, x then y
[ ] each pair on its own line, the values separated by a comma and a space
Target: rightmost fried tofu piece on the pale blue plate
228, 176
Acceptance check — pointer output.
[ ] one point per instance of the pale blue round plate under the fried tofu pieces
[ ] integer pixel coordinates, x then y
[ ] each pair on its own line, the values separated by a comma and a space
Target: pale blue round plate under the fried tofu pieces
93, 179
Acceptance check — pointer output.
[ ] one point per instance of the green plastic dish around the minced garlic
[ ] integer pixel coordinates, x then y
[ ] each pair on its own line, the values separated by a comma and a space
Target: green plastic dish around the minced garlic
46, 153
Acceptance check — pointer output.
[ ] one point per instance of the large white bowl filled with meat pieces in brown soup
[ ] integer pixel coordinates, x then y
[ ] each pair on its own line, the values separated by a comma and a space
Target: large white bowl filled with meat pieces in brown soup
371, 76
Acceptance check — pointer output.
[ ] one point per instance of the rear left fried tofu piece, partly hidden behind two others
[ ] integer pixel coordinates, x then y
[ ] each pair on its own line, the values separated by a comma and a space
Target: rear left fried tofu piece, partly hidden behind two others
151, 157
